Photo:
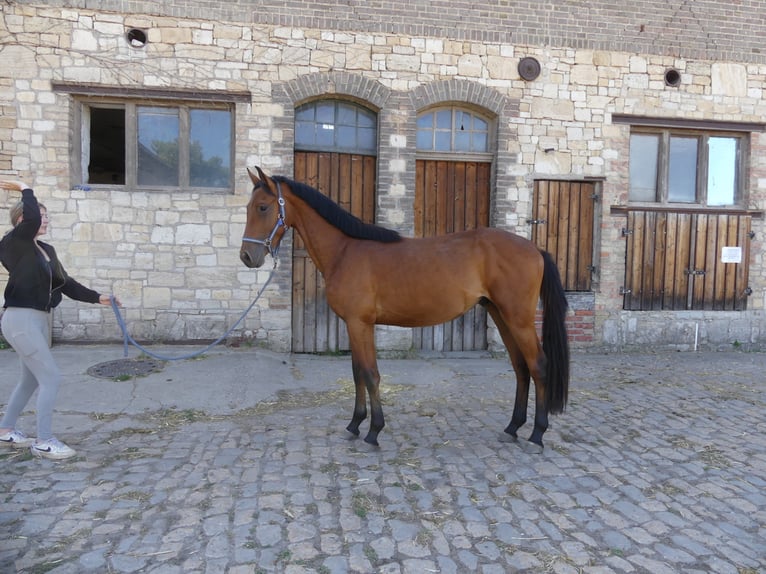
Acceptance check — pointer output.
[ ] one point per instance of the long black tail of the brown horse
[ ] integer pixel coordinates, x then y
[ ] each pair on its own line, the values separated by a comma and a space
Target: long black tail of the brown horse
555, 342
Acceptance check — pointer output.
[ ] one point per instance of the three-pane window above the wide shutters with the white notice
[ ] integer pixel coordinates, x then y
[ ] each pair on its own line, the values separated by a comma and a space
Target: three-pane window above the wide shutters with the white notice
700, 168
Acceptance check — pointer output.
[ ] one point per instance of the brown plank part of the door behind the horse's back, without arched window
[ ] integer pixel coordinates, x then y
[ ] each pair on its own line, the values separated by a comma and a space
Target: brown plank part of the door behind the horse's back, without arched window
452, 196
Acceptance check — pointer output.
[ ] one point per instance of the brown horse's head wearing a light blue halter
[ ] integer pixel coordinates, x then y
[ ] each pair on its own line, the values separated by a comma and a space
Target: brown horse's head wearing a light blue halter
265, 220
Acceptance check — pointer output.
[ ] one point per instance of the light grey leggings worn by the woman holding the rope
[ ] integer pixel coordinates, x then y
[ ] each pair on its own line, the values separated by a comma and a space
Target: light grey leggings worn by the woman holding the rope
27, 332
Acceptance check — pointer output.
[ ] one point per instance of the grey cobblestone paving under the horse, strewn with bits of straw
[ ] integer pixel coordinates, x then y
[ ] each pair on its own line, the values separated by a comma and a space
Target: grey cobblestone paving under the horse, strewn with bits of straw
658, 465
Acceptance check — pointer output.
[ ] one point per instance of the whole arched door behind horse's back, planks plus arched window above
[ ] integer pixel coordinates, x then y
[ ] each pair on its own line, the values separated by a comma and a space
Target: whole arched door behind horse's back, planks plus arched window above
453, 174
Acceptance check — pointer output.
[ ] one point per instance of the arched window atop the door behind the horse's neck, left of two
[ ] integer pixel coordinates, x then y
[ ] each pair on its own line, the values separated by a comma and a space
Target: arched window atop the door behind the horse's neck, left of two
334, 125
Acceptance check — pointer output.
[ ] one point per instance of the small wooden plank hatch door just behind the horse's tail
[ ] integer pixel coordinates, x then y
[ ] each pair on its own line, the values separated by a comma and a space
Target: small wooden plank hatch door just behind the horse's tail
562, 223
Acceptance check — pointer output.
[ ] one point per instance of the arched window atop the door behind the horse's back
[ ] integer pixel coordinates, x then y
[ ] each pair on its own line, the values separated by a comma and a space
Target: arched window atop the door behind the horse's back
452, 130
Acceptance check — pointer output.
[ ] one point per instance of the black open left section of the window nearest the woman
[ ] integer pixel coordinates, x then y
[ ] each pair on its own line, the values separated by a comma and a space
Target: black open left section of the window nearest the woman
106, 163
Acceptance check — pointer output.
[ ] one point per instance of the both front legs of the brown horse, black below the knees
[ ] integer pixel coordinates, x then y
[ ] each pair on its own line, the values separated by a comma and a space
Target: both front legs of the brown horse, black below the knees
366, 379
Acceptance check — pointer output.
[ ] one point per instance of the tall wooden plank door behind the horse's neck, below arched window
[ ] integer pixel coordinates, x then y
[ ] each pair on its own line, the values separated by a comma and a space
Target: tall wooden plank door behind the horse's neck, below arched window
349, 180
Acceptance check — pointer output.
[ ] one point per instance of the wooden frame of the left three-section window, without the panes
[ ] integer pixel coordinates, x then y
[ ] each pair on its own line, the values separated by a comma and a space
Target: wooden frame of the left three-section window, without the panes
130, 106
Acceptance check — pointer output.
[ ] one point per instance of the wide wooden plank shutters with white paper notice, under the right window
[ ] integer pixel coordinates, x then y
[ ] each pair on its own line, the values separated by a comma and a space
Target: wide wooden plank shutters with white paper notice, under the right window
686, 260
